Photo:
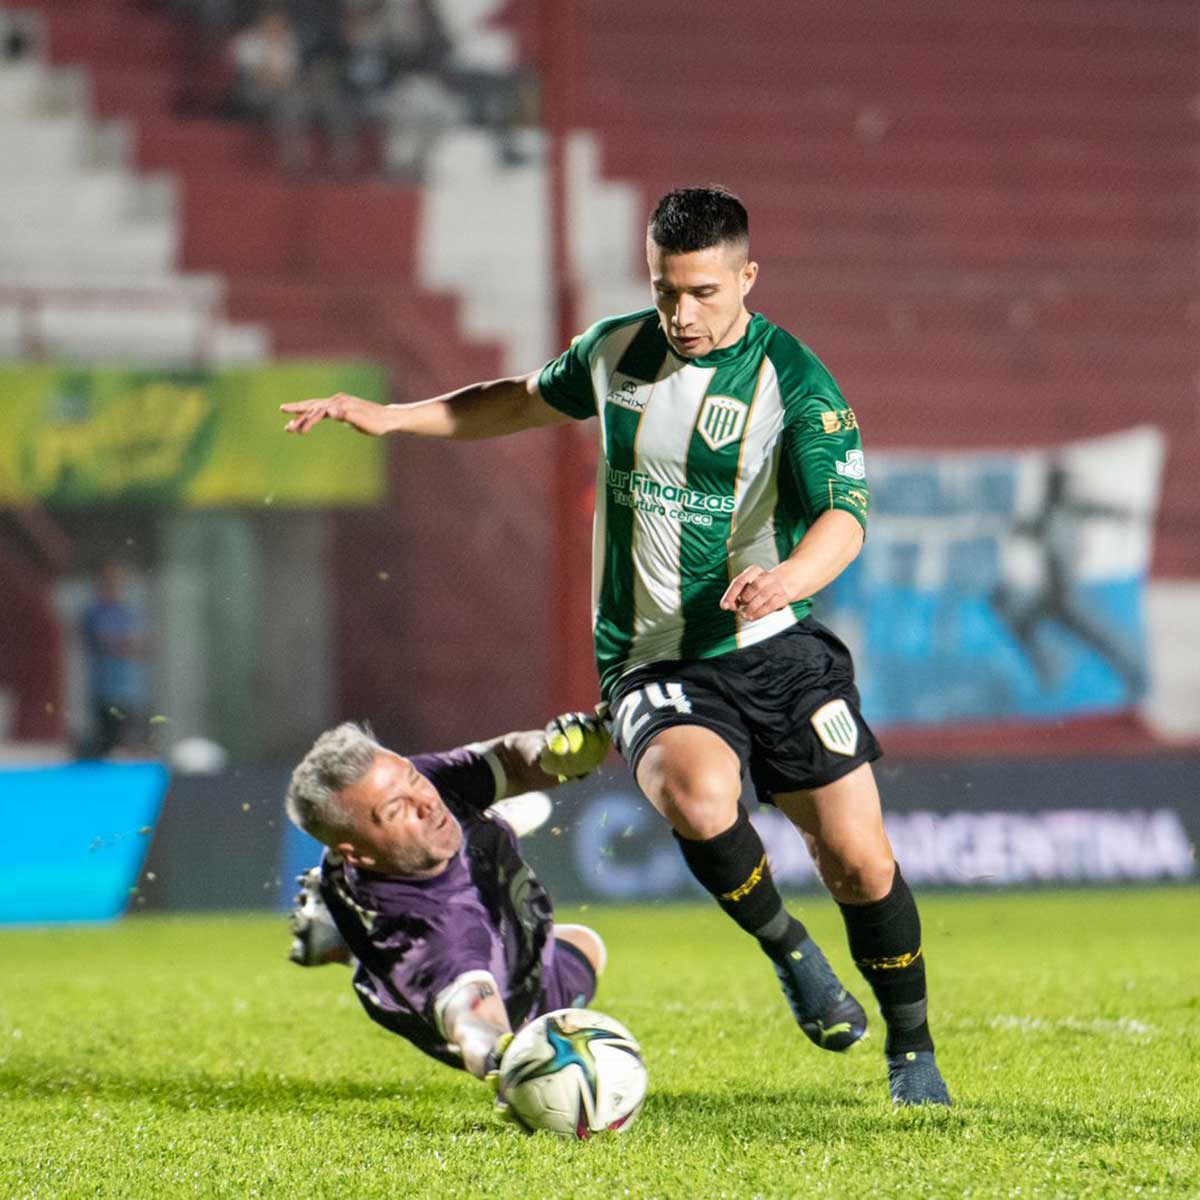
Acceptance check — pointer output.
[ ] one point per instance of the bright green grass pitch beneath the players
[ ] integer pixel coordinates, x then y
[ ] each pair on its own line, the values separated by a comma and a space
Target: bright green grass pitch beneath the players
183, 1057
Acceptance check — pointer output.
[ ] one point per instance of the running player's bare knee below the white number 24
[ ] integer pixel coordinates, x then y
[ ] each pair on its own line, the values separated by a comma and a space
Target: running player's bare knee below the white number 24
694, 778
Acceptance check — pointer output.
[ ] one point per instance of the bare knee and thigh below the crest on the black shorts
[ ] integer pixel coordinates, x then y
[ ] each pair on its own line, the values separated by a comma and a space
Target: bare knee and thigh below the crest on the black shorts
843, 825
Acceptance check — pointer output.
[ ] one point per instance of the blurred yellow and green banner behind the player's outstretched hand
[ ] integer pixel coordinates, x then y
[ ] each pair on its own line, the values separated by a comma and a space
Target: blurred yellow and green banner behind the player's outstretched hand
197, 440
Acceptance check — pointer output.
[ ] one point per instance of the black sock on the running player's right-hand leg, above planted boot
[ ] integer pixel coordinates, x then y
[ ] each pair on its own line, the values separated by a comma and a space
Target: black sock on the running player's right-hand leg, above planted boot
885, 941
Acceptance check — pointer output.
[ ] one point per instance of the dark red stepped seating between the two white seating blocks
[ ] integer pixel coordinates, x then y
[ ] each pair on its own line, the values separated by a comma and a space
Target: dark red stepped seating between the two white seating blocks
297, 259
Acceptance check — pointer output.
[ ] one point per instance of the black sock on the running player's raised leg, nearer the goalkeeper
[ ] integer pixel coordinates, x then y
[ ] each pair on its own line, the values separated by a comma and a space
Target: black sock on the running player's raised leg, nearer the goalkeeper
734, 868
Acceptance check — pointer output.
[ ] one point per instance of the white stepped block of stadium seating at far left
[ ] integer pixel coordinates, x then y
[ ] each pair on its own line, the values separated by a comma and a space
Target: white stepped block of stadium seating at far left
89, 249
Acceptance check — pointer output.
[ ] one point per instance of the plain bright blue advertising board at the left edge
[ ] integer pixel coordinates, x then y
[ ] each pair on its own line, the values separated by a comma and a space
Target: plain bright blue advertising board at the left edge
80, 835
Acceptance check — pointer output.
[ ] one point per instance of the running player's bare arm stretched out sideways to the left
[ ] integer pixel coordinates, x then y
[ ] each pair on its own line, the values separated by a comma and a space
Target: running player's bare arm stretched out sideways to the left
482, 411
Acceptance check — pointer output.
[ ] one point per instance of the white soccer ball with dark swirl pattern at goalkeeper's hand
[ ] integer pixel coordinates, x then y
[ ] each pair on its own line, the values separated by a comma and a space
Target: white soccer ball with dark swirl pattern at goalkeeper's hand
574, 1072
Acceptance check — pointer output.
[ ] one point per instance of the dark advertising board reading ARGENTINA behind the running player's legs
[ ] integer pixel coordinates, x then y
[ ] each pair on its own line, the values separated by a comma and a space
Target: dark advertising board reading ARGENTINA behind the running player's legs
982, 825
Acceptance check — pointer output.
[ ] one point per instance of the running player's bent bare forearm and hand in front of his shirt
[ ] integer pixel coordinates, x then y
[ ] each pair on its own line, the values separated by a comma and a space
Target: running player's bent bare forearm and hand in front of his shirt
830, 547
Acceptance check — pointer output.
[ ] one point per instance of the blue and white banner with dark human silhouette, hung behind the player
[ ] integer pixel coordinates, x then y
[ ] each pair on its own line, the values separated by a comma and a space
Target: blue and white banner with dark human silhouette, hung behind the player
1004, 586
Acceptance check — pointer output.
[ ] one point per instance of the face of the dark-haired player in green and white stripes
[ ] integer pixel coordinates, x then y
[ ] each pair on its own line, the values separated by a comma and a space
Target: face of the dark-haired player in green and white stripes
701, 296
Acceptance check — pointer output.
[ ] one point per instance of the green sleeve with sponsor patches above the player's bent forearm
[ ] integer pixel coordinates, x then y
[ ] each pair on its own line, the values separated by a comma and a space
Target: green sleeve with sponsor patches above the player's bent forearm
823, 441
